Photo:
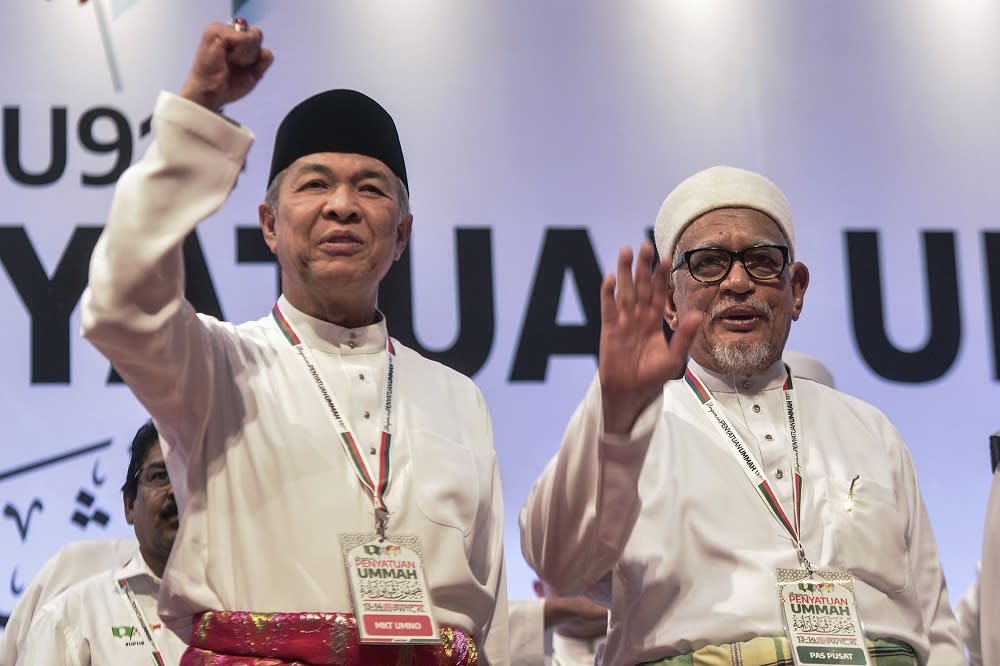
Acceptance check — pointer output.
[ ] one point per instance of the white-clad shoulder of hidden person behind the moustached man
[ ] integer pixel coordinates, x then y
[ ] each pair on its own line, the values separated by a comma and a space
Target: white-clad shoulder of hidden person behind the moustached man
71, 564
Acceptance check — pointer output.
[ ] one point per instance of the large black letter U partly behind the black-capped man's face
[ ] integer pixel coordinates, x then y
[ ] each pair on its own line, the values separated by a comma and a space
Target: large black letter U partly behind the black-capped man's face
473, 249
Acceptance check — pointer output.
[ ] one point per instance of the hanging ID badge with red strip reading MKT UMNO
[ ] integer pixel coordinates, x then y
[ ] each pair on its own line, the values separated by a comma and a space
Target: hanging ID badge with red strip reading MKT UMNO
388, 589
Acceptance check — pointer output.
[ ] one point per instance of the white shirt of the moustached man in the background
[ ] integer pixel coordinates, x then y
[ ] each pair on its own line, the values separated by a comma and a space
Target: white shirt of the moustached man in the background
92, 622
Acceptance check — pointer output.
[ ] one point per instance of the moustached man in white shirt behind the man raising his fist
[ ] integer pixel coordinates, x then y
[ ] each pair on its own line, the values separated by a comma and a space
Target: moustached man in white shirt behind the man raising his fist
110, 618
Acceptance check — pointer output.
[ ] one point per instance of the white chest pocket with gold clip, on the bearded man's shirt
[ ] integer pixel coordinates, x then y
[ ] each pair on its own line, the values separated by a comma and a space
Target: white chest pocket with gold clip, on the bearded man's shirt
868, 534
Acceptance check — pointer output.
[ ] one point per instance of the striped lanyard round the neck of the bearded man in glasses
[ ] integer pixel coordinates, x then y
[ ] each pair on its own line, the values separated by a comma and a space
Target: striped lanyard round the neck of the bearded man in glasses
714, 412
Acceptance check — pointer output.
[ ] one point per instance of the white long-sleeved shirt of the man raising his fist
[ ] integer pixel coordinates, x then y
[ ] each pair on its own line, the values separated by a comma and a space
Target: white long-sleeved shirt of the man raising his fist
262, 481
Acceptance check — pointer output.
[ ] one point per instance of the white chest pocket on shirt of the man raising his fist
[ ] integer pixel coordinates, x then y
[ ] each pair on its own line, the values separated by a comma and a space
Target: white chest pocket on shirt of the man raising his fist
446, 479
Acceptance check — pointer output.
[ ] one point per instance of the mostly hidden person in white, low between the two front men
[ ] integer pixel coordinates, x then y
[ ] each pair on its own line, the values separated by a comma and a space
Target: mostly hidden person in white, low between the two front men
553, 630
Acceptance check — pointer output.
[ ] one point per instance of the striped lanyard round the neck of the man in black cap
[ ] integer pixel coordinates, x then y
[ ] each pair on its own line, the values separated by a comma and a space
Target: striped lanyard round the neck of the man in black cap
376, 487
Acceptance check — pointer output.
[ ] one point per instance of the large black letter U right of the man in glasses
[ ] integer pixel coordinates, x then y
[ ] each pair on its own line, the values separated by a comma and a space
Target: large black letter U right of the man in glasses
865, 276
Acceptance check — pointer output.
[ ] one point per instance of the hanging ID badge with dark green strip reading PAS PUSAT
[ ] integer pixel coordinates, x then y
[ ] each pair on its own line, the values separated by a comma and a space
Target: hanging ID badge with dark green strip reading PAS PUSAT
821, 617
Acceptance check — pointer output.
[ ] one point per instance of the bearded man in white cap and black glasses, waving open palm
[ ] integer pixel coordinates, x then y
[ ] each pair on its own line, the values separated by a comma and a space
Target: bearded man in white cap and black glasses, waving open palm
645, 486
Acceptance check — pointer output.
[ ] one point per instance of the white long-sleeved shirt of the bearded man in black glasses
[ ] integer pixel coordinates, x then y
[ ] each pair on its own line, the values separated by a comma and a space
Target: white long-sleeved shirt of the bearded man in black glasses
693, 549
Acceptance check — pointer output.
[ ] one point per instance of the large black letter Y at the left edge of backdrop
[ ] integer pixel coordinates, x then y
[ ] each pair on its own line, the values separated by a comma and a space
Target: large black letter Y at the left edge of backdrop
49, 302
